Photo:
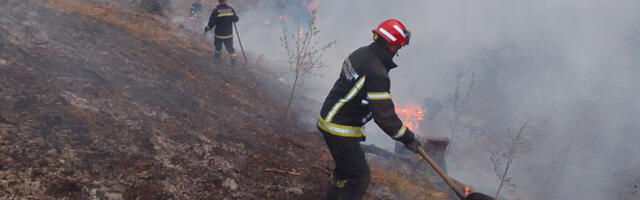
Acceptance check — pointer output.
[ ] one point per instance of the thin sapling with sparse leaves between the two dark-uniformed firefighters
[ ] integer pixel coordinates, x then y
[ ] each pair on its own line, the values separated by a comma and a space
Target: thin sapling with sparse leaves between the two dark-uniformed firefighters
304, 53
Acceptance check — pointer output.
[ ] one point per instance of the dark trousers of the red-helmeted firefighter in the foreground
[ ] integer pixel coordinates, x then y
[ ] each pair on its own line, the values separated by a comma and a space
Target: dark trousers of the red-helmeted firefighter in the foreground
351, 176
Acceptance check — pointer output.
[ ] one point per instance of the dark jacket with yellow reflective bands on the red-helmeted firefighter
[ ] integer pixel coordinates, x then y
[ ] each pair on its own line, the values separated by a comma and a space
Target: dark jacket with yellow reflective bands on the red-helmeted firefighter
362, 93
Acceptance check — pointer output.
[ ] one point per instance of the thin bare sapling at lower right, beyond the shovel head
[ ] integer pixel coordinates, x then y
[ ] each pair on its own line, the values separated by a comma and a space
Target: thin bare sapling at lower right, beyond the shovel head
502, 160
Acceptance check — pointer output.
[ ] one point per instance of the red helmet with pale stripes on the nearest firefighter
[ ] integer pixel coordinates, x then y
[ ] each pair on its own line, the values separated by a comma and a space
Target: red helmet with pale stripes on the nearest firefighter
394, 32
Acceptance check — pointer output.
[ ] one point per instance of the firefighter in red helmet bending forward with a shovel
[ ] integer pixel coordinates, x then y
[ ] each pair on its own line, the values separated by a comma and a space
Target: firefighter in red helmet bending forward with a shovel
360, 94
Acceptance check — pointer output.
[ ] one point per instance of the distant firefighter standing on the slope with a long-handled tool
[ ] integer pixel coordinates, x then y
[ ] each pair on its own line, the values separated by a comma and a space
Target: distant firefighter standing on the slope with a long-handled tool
222, 19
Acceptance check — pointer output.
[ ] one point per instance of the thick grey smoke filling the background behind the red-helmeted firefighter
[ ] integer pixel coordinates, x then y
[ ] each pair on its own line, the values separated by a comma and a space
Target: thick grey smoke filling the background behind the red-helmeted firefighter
568, 67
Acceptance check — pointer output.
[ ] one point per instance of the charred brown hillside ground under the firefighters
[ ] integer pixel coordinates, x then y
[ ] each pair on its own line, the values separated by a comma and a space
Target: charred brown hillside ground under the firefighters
98, 101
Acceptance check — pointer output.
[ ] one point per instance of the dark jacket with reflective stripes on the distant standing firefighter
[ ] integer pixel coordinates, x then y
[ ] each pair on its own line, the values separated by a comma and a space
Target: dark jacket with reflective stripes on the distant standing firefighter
222, 18
